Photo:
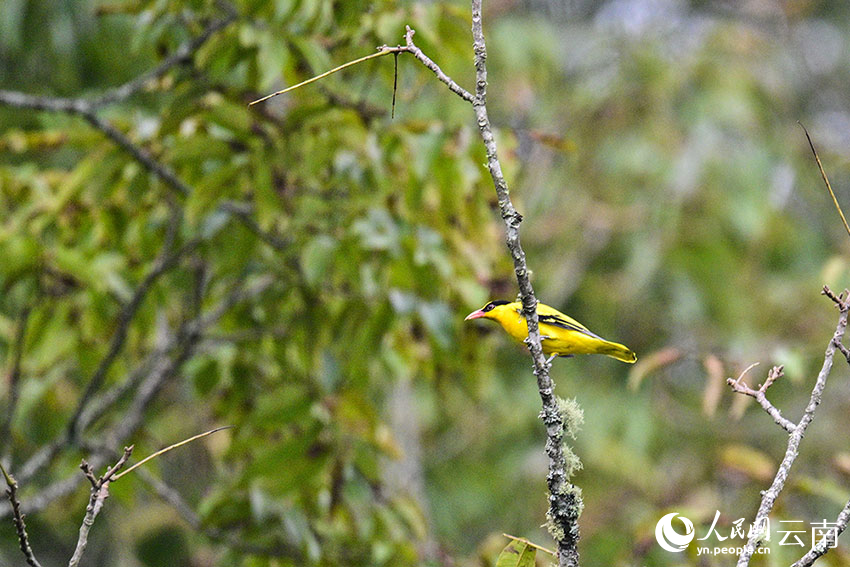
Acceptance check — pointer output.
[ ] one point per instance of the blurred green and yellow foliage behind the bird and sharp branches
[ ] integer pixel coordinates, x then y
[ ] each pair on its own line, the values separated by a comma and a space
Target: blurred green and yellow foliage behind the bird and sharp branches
300, 269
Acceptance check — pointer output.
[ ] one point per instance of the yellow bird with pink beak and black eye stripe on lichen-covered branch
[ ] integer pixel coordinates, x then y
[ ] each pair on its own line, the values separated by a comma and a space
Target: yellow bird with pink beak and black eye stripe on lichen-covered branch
560, 335
